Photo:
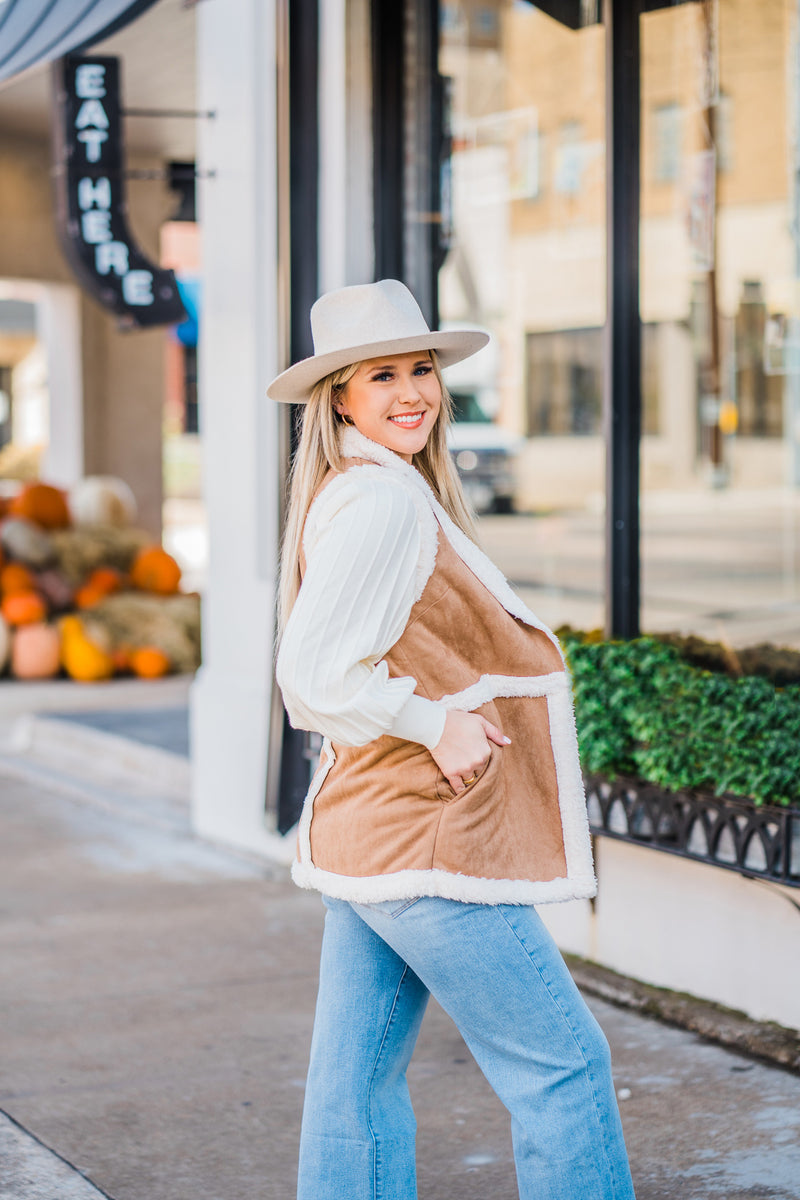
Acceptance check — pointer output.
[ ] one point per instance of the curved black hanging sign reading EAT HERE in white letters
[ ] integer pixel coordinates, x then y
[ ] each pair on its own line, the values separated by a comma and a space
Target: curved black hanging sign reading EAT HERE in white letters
91, 199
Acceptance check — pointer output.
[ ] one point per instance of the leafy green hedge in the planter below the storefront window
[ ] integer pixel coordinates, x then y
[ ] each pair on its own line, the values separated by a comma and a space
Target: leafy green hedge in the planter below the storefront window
643, 711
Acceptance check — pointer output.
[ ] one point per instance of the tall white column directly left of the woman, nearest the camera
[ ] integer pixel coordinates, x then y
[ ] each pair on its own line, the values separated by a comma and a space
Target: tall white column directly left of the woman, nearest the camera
238, 357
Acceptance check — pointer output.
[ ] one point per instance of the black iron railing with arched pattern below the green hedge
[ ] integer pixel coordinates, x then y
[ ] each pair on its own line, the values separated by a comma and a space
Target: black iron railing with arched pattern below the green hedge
762, 843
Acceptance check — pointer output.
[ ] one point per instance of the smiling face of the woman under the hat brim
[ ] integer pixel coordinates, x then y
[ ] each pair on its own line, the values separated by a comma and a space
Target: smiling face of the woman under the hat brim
395, 401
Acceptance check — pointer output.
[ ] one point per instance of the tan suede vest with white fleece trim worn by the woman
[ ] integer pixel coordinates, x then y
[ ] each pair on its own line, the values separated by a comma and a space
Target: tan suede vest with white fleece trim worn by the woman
383, 823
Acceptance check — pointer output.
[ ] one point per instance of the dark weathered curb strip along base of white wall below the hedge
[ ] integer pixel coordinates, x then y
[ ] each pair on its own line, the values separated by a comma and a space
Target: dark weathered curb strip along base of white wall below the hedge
767, 1041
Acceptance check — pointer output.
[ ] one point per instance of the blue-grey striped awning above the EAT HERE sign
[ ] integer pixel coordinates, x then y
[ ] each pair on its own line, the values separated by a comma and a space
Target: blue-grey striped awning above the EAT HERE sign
40, 31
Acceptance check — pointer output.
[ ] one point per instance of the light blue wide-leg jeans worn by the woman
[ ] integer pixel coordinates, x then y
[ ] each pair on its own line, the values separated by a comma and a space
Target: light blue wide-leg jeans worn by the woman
496, 970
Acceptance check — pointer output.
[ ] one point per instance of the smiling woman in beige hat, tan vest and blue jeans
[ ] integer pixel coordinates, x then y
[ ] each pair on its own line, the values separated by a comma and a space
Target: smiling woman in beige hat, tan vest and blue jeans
449, 797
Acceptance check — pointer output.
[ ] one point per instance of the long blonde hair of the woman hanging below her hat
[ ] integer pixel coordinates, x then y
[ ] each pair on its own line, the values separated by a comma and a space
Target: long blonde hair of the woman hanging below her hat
318, 452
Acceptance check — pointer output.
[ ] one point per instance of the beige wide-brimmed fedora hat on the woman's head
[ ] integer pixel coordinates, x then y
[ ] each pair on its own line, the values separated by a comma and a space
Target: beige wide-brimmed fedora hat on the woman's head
365, 322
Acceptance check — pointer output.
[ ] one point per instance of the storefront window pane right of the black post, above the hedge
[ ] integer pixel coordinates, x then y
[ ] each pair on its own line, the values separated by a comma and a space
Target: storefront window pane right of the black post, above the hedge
720, 291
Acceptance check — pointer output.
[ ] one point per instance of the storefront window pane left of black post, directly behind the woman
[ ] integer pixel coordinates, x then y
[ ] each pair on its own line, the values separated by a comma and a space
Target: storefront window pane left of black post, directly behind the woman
527, 261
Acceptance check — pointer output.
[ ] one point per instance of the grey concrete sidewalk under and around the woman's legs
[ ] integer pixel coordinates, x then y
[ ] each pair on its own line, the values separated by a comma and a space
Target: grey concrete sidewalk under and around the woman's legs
157, 1001
